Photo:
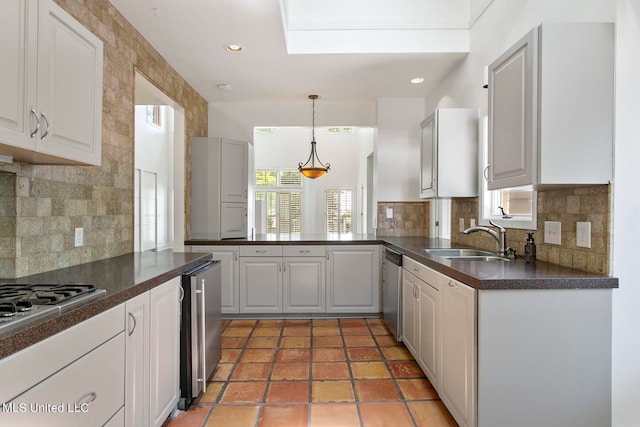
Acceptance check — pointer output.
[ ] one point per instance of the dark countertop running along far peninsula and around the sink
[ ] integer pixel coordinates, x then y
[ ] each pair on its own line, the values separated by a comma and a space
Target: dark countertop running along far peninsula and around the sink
515, 274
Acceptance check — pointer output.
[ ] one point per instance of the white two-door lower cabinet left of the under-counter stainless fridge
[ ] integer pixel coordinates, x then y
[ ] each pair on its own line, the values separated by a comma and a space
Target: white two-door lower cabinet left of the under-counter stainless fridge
153, 355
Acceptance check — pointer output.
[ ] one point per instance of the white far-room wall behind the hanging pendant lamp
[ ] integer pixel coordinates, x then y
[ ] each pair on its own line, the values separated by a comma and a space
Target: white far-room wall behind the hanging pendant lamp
346, 154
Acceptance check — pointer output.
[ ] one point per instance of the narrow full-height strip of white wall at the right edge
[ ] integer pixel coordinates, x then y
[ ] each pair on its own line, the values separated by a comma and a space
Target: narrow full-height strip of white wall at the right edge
626, 205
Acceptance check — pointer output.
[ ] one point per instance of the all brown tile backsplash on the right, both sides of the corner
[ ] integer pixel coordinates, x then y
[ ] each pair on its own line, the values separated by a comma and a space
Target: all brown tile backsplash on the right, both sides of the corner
566, 205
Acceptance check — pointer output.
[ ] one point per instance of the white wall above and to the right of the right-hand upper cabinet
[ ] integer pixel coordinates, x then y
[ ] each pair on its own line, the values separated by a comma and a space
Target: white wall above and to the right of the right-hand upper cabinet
503, 23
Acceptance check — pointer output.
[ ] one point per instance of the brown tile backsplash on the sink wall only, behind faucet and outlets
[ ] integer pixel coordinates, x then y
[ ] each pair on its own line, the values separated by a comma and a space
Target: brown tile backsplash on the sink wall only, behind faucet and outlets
565, 205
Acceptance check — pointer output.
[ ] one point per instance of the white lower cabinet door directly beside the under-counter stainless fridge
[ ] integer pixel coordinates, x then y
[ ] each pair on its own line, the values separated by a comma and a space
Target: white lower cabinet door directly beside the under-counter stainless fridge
164, 350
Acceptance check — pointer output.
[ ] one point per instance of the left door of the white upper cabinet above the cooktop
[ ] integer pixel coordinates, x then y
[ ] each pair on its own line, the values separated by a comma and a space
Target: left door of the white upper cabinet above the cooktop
18, 21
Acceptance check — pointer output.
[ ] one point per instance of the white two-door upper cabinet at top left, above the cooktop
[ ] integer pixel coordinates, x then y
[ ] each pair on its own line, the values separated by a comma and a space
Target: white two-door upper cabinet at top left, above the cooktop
51, 108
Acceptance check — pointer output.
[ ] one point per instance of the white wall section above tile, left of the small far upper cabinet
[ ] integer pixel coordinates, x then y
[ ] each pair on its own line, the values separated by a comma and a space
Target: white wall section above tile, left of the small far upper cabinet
398, 149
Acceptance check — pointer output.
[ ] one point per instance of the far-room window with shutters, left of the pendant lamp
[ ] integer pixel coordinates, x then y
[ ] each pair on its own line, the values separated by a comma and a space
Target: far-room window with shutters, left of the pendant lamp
279, 200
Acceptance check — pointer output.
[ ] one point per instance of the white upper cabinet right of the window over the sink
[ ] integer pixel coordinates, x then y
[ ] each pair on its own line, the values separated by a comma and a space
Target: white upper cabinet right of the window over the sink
551, 108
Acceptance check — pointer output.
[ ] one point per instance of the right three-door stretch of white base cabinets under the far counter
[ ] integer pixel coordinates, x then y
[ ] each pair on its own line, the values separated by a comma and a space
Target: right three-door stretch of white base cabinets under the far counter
264, 279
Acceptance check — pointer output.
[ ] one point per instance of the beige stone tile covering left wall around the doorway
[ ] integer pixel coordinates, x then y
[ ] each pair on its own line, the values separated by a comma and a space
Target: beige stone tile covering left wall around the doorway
41, 205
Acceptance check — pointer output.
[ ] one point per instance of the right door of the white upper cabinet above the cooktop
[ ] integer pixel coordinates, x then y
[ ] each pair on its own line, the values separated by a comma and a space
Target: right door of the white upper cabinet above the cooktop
69, 87
